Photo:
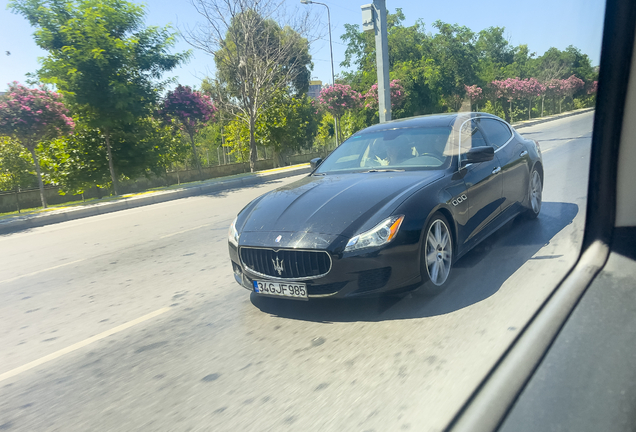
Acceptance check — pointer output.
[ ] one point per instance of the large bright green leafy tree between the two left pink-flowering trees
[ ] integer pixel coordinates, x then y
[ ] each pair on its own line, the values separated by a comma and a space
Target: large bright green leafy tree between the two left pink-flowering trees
103, 59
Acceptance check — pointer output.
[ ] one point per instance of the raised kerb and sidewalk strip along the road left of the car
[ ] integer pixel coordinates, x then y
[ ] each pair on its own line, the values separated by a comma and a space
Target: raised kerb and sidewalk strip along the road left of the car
58, 214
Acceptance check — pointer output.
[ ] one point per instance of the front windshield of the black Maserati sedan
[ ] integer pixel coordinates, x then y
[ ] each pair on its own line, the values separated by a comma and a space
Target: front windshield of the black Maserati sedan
392, 149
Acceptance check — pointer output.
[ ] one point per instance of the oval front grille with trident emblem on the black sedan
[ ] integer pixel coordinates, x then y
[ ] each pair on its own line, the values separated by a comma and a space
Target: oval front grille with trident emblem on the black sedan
286, 263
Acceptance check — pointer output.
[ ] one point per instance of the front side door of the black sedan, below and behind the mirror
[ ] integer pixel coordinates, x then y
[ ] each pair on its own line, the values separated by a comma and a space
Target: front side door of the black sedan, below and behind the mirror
484, 184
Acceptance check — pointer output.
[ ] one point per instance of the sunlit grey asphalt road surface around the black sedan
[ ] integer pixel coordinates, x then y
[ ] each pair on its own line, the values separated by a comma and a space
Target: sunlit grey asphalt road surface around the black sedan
132, 321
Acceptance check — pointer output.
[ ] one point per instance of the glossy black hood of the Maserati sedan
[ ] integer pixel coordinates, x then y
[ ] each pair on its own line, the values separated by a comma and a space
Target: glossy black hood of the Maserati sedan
333, 204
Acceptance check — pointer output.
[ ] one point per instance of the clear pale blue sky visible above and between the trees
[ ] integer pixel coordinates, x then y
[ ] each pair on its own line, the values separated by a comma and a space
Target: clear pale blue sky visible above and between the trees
540, 24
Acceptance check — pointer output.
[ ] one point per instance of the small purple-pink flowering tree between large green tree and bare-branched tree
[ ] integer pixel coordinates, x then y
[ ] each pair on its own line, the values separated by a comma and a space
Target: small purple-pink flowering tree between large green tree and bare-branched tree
189, 110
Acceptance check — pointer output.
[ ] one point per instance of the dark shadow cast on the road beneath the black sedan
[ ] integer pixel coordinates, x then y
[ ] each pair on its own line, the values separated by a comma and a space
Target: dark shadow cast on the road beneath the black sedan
475, 277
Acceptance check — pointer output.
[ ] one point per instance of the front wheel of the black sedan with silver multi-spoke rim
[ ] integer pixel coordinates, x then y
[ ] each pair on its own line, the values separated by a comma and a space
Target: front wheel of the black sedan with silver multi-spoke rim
437, 253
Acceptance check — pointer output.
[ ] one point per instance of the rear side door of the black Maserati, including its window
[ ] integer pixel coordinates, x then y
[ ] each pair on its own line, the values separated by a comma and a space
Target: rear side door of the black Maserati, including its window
513, 156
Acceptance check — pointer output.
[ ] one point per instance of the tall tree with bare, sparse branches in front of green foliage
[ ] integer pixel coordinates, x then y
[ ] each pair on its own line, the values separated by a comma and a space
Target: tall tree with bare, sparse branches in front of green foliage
255, 57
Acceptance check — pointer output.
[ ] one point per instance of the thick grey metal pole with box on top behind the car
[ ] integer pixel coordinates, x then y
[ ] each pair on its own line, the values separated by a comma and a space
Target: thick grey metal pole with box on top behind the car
374, 21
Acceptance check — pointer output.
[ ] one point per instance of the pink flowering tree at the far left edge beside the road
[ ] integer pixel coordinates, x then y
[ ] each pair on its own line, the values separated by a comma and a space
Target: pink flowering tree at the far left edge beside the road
31, 116
